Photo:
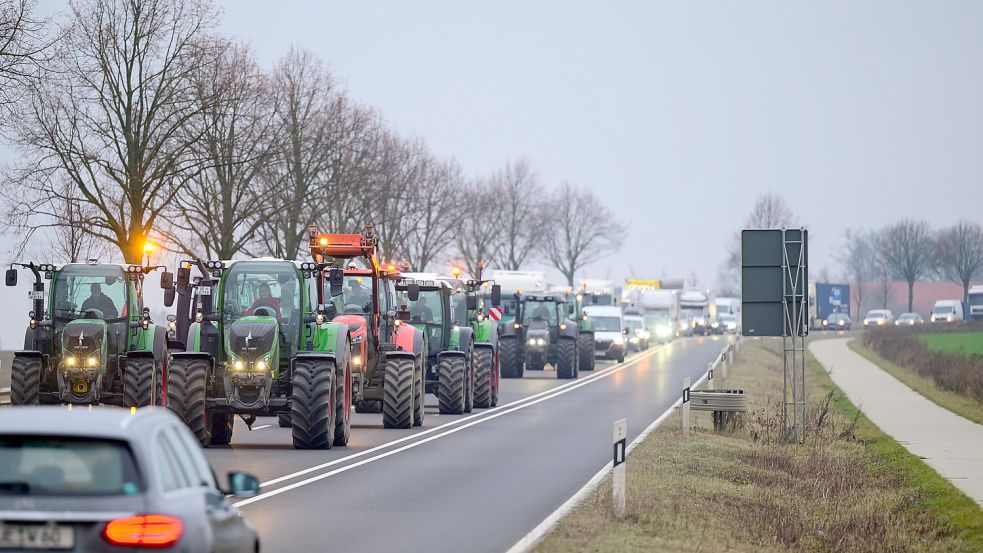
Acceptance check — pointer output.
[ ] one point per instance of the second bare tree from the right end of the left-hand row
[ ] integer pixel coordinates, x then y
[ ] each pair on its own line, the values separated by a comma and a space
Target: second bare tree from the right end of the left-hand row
519, 200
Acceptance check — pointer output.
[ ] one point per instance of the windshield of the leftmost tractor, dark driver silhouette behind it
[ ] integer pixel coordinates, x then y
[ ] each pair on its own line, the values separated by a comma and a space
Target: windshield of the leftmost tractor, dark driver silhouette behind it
90, 292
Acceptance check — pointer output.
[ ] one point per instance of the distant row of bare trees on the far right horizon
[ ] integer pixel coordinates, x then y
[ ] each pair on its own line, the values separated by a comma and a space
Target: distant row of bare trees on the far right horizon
911, 250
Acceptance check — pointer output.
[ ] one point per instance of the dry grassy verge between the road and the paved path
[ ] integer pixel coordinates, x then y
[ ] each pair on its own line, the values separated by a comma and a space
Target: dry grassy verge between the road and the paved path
850, 488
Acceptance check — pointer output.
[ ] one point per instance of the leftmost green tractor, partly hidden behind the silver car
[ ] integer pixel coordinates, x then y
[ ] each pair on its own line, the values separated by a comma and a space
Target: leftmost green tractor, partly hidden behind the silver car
95, 342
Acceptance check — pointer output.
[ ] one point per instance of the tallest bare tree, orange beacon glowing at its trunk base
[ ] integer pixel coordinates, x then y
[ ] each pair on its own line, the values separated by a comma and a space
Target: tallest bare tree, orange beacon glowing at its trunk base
111, 118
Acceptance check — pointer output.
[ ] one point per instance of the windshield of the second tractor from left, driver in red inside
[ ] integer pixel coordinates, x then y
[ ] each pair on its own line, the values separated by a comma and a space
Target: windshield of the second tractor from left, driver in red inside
264, 288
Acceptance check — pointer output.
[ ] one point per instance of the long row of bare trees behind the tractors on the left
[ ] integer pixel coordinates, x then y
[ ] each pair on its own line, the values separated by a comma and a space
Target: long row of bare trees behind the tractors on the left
135, 120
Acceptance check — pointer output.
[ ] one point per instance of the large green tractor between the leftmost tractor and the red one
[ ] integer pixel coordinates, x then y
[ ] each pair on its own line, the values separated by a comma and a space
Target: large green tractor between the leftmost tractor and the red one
259, 343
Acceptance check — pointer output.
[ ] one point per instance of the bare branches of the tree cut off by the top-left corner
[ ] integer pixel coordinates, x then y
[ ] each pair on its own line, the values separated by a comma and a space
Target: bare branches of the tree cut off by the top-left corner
23, 49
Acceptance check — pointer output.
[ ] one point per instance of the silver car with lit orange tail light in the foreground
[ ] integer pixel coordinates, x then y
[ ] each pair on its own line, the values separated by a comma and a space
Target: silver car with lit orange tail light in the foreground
105, 479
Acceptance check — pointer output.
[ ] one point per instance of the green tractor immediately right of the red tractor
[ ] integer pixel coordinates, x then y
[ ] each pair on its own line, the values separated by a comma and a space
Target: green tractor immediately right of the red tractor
452, 355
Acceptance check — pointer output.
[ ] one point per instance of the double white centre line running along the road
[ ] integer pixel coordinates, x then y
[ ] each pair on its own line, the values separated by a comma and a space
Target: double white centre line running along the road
485, 417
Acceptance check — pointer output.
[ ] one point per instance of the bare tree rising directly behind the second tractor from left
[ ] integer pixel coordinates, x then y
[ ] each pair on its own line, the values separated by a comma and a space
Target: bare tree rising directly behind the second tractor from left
223, 207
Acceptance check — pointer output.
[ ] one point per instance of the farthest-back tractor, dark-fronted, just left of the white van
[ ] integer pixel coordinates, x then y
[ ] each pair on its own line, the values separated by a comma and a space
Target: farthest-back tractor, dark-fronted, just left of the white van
541, 333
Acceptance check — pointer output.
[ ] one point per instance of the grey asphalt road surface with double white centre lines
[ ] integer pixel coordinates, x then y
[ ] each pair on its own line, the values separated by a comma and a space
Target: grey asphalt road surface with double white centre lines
477, 482
